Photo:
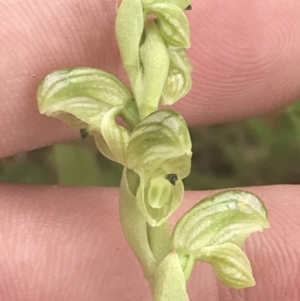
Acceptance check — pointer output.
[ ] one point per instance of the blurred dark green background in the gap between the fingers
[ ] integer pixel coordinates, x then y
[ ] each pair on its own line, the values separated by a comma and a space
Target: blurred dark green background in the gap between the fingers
257, 151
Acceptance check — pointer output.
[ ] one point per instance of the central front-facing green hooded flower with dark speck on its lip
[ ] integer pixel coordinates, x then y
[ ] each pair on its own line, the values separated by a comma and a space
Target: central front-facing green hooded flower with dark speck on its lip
159, 153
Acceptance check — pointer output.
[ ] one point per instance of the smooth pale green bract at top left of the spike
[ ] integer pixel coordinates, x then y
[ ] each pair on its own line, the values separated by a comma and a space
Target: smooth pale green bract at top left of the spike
129, 29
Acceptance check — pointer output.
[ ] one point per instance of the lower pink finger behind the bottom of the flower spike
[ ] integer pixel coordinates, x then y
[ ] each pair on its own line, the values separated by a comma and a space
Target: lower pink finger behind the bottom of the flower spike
65, 243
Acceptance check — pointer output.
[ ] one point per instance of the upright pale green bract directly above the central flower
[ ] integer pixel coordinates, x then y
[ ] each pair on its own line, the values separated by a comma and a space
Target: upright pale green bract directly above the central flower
153, 74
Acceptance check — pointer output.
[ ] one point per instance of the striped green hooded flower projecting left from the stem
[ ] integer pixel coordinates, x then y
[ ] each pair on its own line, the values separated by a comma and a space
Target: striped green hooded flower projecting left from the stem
88, 98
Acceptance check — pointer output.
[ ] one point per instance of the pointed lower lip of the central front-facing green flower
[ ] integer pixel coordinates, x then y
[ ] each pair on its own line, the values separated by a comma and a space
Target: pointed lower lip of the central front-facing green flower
157, 199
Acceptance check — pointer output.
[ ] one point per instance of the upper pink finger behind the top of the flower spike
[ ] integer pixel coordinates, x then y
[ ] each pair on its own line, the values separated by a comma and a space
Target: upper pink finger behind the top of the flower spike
246, 56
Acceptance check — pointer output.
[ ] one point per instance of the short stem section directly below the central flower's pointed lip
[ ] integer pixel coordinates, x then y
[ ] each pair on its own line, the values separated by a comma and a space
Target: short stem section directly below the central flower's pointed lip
159, 240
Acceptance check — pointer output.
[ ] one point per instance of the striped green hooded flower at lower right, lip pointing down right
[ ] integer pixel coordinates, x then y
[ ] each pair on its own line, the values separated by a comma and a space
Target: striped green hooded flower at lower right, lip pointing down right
214, 231
